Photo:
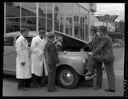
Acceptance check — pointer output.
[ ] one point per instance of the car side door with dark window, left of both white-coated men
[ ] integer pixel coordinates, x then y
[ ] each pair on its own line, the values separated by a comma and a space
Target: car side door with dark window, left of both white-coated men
9, 54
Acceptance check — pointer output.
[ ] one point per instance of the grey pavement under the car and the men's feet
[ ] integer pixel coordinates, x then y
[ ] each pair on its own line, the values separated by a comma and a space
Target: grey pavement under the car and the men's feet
10, 84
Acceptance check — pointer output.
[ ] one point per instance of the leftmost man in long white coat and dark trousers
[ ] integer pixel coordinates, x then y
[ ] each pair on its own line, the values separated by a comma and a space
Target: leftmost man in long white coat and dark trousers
23, 72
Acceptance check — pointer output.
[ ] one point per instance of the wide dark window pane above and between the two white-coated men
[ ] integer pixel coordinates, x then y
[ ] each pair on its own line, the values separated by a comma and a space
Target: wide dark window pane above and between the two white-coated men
29, 22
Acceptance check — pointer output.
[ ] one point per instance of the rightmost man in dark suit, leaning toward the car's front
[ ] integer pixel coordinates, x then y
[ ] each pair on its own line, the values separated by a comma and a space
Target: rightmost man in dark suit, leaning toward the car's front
107, 57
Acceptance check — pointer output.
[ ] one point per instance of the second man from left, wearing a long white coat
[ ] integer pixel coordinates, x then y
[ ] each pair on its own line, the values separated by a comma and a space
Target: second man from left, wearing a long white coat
37, 60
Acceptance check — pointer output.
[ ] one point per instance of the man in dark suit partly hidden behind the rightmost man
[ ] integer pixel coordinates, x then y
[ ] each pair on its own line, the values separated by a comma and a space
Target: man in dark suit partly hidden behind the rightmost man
98, 65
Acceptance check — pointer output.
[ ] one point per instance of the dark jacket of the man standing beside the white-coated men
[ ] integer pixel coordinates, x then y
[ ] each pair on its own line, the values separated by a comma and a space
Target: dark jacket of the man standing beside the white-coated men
51, 55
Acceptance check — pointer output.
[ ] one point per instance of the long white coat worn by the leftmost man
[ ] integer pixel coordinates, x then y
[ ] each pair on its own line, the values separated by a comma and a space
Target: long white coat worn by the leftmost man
22, 72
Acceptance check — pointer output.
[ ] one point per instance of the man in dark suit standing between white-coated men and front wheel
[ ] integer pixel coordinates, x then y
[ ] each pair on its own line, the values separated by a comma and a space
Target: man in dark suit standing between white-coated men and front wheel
51, 61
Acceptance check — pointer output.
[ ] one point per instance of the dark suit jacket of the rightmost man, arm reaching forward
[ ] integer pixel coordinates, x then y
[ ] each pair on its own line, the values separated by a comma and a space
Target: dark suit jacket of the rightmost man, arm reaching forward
106, 49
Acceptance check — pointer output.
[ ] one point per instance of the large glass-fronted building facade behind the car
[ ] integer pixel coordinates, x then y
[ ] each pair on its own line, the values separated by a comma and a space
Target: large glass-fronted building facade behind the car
68, 18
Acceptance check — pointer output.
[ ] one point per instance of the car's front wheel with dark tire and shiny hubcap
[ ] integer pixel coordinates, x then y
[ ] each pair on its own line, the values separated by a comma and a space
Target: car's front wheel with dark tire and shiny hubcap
67, 77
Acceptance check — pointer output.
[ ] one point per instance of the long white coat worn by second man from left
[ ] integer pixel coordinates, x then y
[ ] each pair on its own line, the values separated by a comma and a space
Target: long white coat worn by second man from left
37, 60
